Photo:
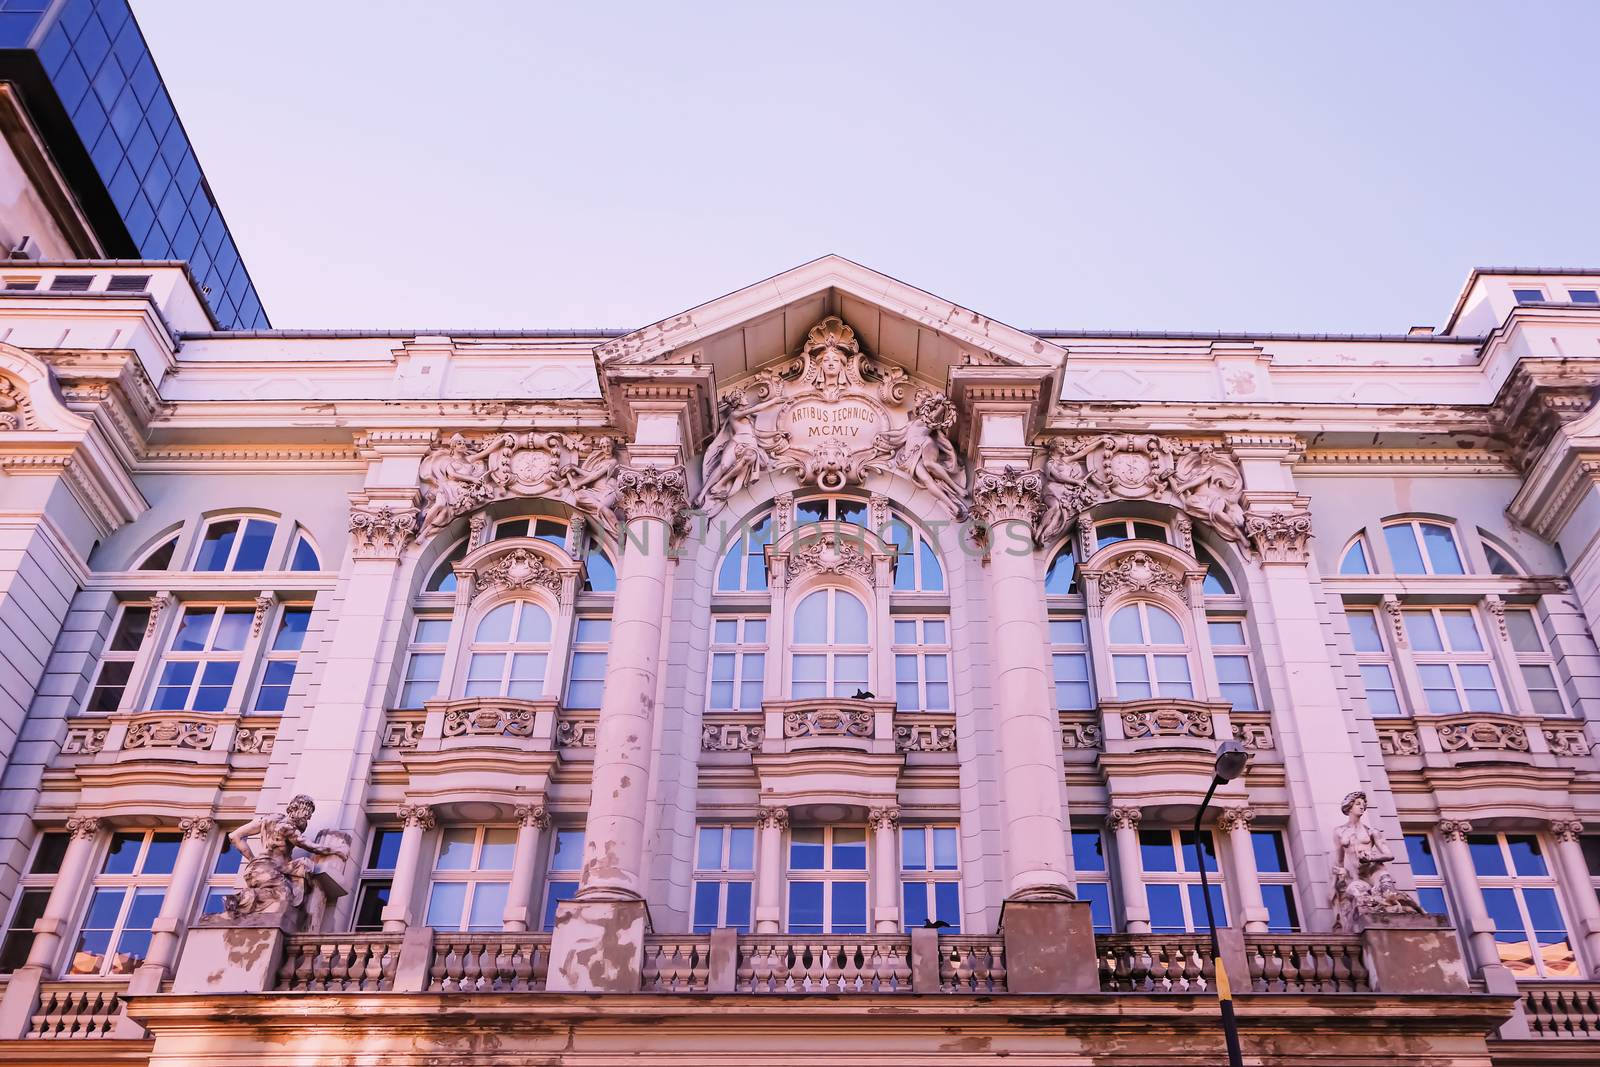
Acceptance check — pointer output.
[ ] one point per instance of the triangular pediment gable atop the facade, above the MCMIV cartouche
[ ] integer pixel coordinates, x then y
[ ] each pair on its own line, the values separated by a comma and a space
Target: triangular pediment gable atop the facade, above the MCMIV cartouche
746, 330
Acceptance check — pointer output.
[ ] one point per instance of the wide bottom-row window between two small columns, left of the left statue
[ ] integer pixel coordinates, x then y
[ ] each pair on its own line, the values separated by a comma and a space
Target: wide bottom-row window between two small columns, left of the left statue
119, 921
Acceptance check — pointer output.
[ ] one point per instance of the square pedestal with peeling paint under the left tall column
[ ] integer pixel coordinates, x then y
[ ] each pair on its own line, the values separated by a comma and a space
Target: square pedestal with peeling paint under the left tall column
599, 948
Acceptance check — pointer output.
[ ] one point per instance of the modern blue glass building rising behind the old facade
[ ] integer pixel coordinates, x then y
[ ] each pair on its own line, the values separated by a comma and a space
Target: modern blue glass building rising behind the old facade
94, 90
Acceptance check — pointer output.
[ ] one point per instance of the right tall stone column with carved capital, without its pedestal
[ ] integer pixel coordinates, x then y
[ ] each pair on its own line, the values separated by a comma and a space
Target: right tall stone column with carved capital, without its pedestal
1026, 722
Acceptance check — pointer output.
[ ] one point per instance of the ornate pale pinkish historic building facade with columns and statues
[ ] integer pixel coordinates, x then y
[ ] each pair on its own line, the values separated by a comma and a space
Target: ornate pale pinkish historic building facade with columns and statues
828, 671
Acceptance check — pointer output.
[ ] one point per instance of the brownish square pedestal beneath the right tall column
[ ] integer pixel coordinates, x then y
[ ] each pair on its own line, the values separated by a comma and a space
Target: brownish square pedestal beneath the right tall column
1049, 946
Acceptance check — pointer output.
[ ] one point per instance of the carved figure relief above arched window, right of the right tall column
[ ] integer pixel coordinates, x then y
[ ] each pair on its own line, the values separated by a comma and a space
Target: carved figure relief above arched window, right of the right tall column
1081, 473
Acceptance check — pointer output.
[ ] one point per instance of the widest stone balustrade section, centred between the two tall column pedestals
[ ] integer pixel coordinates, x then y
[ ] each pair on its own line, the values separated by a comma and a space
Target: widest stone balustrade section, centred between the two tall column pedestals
825, 964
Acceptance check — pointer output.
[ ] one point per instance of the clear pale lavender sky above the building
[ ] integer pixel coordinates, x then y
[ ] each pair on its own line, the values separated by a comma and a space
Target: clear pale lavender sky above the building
1334, 167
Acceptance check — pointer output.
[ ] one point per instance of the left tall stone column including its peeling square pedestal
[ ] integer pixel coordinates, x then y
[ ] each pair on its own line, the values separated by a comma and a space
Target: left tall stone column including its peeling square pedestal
599, 937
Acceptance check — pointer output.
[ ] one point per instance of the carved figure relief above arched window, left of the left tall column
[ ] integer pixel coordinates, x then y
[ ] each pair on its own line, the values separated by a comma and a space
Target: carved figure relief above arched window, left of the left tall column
577, 470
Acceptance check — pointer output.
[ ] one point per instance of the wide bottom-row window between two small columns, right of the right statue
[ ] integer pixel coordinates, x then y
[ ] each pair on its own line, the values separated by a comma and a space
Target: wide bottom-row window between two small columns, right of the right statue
1521, 897
